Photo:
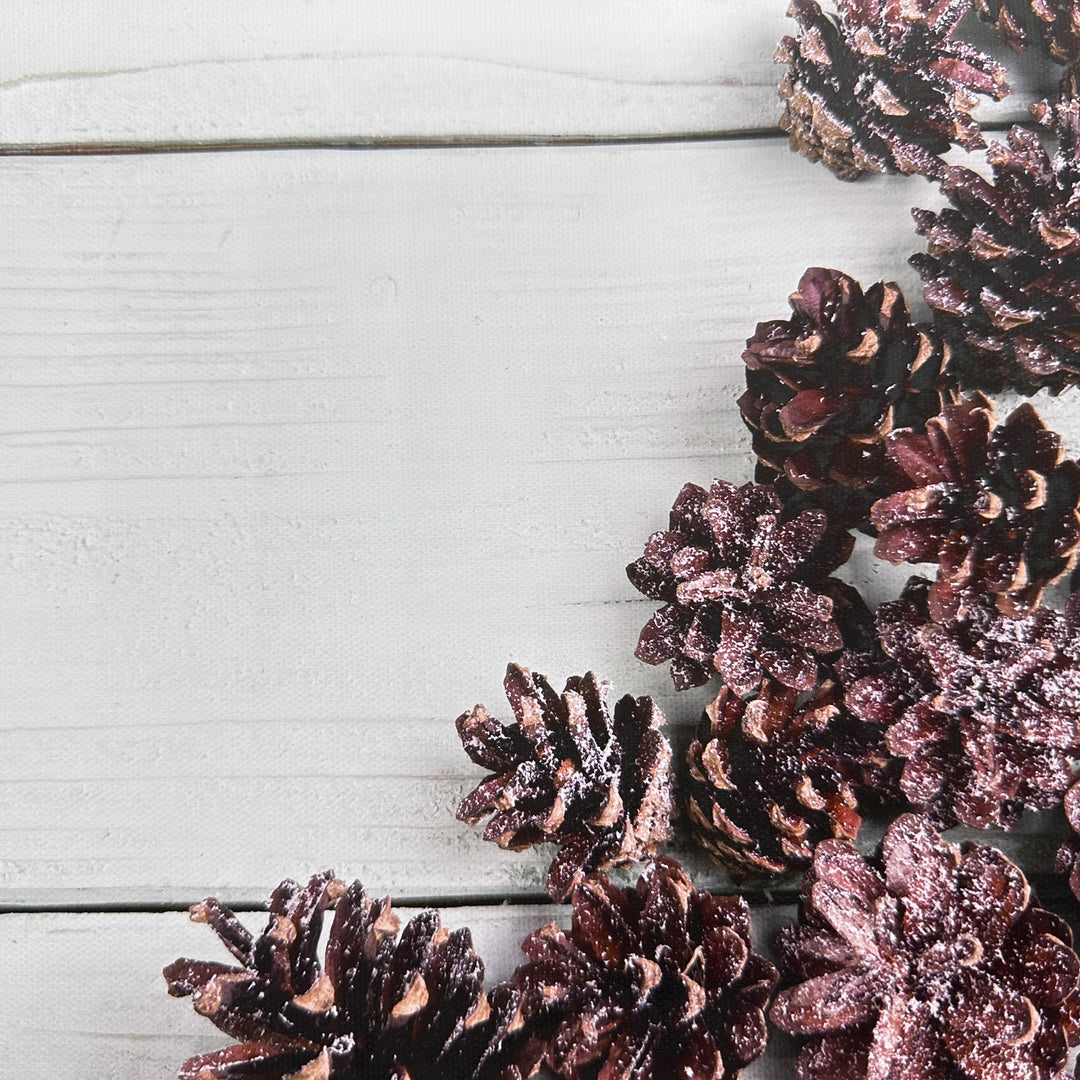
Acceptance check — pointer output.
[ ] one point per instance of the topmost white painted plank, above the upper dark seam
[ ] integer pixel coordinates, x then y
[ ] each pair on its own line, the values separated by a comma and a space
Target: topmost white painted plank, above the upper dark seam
121, 73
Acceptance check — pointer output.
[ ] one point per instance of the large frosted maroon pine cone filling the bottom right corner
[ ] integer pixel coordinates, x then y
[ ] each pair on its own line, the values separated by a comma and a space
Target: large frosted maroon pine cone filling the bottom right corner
930, 963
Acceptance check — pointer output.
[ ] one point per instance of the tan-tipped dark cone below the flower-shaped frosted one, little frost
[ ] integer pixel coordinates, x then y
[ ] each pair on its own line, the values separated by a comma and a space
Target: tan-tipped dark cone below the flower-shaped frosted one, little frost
771, 778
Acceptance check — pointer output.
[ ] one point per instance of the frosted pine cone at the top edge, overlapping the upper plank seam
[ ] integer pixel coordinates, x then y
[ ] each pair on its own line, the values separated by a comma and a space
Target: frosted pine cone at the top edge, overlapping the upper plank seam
881, 88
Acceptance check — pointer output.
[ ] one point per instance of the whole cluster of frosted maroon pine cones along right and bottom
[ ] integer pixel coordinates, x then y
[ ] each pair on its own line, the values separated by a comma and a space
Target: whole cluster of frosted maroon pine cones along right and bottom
956, 704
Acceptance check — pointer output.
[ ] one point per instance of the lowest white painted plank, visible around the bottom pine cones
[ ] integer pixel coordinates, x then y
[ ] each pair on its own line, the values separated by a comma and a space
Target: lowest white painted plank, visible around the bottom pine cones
83, 995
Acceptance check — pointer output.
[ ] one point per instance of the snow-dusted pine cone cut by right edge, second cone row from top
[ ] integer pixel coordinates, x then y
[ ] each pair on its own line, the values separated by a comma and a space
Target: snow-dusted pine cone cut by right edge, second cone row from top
1003, 273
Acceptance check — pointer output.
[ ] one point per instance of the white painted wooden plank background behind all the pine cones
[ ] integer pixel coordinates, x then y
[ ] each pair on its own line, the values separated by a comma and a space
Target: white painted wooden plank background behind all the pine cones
301, 445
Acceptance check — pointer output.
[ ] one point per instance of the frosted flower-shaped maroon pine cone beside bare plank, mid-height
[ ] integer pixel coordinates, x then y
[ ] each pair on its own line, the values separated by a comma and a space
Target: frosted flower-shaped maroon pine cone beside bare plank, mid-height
746, 592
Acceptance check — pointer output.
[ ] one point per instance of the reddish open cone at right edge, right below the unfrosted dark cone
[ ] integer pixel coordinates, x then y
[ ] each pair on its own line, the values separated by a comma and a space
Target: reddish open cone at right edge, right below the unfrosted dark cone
995, 506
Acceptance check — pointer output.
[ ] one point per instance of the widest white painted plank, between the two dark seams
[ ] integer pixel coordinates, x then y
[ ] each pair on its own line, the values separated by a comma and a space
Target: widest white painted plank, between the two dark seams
299, 451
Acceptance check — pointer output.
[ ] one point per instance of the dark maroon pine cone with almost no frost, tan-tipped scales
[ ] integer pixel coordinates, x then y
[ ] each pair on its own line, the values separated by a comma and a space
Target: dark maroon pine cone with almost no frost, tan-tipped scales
826, 387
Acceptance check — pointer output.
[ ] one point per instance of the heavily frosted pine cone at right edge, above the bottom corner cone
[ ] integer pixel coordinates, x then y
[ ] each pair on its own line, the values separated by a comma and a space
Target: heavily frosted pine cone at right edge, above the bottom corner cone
987, 712
